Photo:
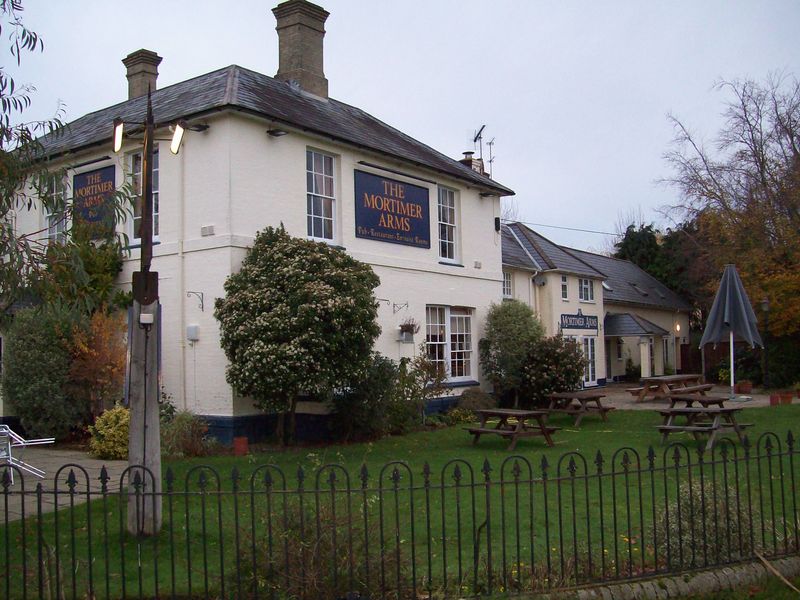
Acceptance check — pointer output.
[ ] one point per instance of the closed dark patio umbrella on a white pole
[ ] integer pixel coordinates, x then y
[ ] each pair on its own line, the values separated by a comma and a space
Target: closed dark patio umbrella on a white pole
731, 316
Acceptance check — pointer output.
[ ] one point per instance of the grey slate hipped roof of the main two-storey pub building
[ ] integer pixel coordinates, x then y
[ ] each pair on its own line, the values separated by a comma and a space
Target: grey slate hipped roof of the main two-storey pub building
236, 88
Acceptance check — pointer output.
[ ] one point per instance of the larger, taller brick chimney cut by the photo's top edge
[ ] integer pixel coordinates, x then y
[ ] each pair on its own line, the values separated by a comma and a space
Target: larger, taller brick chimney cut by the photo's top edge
301, 28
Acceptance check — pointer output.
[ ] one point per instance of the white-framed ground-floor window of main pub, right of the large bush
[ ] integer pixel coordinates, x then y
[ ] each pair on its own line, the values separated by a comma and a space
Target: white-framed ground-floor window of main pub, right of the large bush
449, 340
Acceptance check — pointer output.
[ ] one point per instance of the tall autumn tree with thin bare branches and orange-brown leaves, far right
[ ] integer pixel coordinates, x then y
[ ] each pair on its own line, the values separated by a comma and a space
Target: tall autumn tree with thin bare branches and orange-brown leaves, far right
745, 191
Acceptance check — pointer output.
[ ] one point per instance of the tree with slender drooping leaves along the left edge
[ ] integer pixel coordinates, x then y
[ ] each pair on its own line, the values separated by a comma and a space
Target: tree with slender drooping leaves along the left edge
29, 180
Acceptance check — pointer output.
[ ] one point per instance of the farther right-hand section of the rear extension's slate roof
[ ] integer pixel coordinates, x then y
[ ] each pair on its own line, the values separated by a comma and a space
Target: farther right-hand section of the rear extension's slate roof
632, 285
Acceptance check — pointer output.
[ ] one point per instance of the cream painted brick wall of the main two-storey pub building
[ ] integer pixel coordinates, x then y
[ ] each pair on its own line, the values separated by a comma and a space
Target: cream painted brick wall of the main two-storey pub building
239, 180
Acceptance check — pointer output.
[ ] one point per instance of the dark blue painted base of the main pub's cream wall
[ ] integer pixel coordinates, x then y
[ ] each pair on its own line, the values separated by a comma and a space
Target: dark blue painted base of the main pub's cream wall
309, 428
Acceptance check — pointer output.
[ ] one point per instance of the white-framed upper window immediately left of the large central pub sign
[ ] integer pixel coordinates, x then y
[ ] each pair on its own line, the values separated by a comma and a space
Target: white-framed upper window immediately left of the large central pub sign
320, 196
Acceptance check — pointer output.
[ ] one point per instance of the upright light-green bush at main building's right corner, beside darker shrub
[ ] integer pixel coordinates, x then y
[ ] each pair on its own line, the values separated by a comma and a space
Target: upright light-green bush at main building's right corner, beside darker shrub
511, 329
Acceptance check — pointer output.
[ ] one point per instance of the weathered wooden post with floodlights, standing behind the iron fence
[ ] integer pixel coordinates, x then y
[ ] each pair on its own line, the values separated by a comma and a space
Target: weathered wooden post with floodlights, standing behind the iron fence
144, 441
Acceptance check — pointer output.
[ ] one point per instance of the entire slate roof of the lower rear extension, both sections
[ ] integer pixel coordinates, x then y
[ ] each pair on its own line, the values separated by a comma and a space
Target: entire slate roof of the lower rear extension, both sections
623, 282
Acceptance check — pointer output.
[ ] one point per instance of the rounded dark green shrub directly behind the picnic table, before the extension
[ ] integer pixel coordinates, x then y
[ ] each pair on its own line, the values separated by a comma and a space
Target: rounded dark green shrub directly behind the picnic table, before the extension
553, 364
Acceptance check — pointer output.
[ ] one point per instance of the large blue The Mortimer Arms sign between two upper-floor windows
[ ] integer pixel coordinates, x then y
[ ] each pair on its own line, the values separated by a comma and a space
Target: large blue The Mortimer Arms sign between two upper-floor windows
391, 211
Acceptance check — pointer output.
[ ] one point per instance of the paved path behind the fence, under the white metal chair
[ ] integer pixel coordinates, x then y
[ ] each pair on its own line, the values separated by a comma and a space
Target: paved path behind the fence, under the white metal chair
51, 460
